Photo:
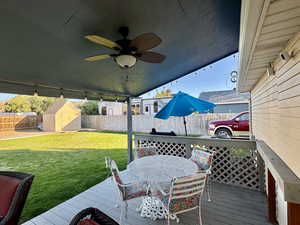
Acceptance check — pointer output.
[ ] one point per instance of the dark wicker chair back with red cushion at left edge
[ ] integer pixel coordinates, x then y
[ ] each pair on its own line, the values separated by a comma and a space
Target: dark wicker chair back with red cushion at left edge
13, 193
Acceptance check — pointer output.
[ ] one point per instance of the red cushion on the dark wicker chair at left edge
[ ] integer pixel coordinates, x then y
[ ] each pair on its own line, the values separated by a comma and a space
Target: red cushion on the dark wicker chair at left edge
8, 188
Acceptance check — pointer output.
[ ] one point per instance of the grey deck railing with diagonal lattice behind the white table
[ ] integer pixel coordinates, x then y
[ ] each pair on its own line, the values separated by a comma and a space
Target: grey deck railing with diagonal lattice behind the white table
236, 162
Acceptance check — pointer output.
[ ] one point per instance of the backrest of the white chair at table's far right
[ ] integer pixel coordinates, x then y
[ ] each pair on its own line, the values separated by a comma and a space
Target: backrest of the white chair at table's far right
202, 158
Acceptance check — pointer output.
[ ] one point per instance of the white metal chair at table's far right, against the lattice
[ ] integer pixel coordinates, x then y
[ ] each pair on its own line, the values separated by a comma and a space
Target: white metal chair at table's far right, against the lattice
204, 160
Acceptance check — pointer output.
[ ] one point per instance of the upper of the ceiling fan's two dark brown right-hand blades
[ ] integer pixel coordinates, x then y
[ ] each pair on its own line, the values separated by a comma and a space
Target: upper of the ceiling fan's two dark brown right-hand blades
145, 42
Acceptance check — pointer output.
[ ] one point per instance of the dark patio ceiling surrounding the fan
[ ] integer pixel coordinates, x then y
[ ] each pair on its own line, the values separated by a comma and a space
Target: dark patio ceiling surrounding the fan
42, 45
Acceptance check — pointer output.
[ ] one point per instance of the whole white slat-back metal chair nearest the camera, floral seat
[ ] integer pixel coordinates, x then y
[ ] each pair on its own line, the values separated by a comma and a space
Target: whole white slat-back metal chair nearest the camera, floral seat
184, 195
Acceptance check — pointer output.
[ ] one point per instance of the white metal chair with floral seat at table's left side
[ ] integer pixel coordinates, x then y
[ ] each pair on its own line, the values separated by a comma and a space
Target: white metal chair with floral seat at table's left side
127, 191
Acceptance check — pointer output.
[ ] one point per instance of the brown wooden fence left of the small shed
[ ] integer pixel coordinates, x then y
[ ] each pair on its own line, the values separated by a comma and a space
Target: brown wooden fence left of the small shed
8, 123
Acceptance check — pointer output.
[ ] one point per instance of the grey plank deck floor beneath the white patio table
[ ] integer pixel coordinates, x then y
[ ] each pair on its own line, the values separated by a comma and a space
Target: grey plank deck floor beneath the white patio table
230, 206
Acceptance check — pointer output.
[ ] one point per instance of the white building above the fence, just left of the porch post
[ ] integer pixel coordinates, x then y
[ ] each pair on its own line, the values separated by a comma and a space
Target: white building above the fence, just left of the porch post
112, 108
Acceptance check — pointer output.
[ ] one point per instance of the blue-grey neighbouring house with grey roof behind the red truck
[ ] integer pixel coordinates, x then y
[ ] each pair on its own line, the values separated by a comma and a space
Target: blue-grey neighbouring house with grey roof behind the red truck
228, 101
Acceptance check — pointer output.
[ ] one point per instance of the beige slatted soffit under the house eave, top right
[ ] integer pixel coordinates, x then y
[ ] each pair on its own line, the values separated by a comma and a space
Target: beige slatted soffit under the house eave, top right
279, 22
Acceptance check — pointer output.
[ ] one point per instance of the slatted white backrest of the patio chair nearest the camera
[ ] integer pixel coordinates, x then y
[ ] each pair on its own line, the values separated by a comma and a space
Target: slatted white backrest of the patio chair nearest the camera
185, 193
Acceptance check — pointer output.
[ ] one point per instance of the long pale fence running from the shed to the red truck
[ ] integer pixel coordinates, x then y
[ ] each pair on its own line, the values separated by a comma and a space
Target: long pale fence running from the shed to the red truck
196, 124
